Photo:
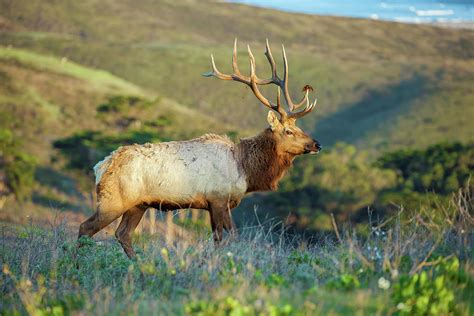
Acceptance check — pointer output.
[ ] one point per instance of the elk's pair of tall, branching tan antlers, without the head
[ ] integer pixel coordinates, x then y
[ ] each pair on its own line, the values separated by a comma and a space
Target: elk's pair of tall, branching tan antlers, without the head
253, 82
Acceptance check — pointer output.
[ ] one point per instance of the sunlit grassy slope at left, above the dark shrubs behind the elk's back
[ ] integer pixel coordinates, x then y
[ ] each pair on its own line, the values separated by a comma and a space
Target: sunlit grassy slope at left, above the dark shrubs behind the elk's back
61, 98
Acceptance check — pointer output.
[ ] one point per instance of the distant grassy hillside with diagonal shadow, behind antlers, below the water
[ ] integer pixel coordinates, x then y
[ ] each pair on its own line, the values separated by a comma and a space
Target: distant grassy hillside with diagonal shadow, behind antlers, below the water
380, 85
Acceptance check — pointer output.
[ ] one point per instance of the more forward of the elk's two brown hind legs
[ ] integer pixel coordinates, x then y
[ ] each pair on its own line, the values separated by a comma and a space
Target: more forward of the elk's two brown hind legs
130, 221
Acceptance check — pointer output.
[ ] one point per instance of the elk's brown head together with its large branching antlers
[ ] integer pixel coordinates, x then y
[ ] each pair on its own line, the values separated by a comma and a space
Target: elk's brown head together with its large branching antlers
290, 139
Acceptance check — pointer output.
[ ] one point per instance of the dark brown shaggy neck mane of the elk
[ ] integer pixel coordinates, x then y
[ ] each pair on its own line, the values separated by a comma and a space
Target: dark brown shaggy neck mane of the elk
261, 163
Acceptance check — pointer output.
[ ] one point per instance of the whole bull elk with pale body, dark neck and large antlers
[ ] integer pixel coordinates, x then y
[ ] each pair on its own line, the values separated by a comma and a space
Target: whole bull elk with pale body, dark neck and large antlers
210, 172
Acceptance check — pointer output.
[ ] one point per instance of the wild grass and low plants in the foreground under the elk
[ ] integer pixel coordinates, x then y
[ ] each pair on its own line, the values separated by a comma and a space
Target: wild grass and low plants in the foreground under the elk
420, 266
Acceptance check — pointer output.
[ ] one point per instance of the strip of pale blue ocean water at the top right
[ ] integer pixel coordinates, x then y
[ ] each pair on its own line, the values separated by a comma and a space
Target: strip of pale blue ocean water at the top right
423, 11
